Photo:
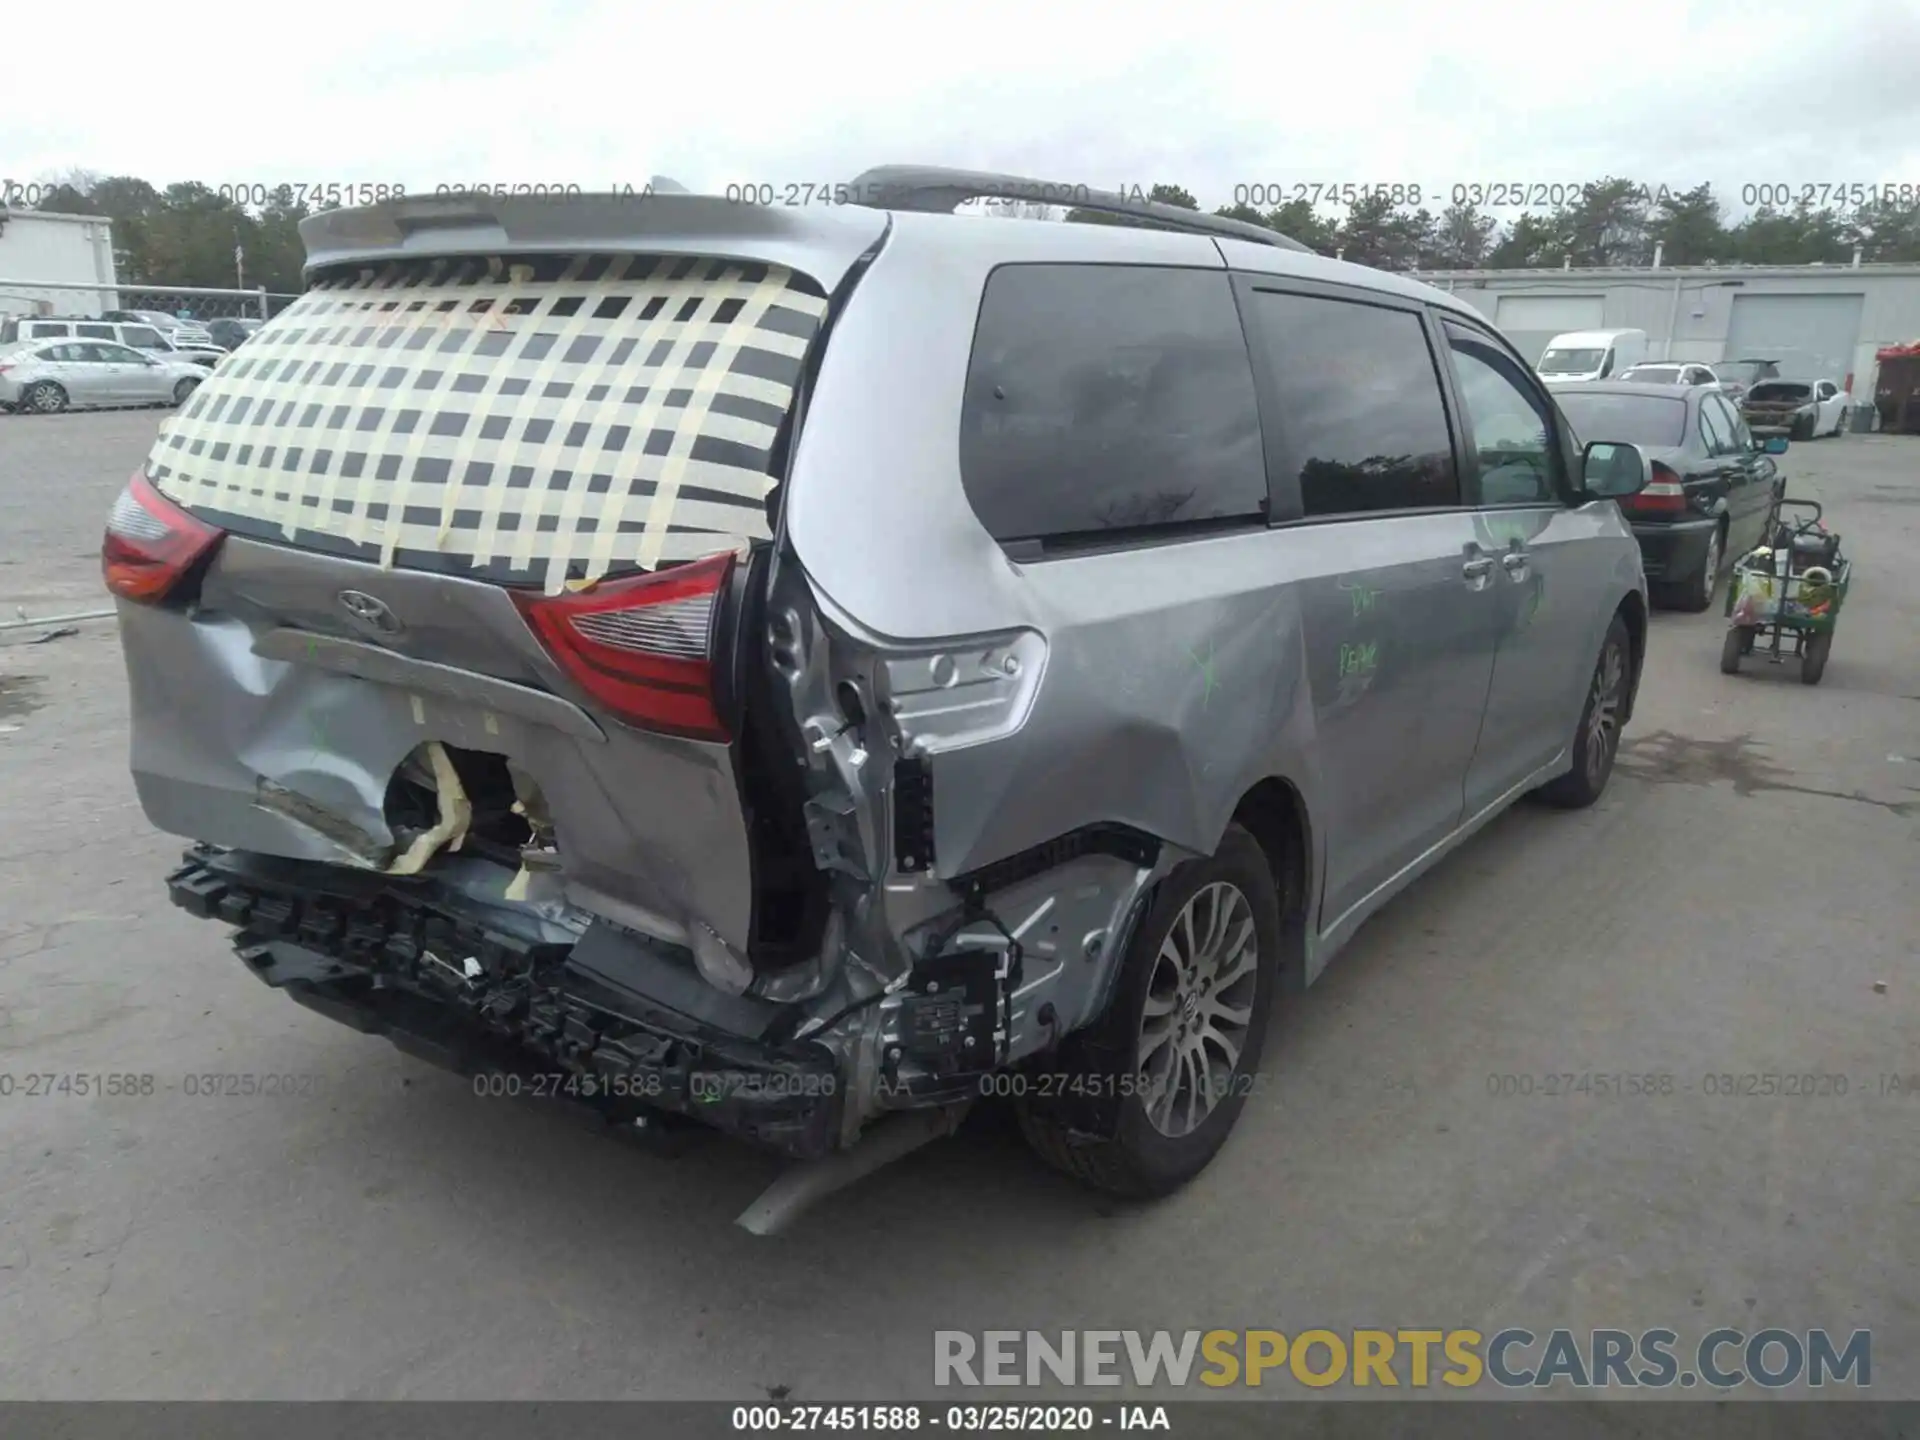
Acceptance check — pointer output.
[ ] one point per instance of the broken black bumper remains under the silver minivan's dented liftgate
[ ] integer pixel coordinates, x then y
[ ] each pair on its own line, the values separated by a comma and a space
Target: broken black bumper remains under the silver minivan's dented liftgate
469, 990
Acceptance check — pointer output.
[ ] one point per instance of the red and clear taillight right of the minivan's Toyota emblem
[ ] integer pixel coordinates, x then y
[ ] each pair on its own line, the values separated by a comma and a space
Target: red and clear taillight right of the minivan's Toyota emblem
642, 648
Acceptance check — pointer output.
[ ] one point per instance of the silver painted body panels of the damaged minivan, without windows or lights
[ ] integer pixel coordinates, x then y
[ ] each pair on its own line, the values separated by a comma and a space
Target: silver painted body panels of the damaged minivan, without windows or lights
1149, 688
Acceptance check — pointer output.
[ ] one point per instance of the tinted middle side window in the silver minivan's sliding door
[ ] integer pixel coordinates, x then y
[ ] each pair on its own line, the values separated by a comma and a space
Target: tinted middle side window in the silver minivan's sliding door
1362, 421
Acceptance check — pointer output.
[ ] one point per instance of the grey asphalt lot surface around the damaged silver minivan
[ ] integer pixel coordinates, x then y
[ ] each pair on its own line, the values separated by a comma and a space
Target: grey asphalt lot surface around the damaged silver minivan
1742, 903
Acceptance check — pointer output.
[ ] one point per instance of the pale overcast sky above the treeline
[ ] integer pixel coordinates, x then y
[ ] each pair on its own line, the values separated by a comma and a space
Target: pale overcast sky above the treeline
1109, 93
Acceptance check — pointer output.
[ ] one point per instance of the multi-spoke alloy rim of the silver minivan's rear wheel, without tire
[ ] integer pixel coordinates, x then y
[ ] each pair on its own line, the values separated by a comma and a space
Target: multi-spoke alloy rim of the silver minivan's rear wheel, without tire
1199, 1007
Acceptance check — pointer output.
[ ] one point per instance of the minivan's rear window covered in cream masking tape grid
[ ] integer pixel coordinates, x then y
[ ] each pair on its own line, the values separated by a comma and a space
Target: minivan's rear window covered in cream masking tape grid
519, 420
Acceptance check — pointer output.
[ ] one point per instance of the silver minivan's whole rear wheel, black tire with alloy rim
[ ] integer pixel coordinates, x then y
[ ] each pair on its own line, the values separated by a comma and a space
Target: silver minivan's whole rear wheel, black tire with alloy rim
1168, 1001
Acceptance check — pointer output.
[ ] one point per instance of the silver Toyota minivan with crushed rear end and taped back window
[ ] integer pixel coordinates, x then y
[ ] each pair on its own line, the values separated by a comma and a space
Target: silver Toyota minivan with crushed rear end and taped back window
788, 667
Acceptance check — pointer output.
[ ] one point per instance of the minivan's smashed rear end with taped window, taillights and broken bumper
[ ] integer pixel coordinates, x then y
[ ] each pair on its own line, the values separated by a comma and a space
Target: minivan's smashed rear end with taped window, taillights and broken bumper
433, 608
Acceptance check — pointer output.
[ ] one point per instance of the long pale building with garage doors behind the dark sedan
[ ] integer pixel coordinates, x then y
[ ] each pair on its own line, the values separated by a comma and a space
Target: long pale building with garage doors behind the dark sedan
1819, 322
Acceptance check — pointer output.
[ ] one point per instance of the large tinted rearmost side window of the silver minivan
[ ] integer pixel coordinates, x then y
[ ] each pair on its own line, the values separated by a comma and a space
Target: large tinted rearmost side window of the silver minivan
1109, 398
